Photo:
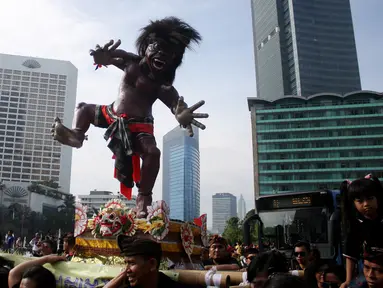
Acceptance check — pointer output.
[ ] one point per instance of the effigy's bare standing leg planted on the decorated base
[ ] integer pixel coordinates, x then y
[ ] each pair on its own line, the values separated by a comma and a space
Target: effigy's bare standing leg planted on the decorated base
146, 145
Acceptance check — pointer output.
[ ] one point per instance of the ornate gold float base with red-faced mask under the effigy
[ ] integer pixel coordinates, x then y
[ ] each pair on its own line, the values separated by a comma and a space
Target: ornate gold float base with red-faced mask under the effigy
96, 238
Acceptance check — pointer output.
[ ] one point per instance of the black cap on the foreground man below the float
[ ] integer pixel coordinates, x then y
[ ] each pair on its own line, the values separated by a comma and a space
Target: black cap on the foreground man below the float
131, 246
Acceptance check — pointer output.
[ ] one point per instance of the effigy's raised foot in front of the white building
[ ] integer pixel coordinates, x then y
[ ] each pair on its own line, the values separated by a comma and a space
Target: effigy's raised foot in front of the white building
67, 136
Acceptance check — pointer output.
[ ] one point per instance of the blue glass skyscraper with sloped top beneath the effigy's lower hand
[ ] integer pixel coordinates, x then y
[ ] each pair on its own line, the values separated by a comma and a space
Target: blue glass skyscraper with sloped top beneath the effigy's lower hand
180, 172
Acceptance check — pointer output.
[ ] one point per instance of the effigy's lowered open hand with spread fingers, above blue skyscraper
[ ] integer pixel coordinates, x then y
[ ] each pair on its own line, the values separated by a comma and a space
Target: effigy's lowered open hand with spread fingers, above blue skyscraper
185, 116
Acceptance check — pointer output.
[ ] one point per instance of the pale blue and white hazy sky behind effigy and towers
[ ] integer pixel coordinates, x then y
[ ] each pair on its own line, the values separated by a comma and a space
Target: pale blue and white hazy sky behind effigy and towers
220, 71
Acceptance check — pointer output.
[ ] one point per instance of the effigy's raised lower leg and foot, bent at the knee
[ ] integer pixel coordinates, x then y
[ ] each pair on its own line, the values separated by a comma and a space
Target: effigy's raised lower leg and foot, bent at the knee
84, 116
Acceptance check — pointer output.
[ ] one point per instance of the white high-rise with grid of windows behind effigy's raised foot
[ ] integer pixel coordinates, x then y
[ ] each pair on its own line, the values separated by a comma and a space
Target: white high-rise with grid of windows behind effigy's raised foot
33, 92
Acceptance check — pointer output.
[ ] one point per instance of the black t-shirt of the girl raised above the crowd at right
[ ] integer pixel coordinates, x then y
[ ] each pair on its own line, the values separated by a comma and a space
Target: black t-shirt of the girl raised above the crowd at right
364, 232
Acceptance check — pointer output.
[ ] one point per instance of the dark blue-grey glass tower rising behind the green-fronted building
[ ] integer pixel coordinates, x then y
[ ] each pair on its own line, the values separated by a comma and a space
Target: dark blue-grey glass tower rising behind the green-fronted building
304, 47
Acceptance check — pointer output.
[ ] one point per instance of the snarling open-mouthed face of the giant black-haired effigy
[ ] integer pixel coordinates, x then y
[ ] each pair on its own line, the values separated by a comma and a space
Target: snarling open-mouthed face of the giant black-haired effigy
160, 55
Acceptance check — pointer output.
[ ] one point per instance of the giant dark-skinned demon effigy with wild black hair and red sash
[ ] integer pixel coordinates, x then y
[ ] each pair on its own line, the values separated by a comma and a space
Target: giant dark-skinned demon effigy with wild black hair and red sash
148, 76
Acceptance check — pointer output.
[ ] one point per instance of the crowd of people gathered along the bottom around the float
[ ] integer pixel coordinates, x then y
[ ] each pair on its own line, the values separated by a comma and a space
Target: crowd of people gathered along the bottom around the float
363, 254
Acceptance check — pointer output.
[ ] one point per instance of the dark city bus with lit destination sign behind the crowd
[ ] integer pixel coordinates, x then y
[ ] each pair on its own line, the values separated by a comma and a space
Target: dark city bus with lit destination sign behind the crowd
284, 219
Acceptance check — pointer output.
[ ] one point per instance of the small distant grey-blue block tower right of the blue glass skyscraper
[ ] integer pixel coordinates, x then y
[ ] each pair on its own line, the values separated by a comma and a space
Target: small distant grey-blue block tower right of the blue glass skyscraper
224, 207
